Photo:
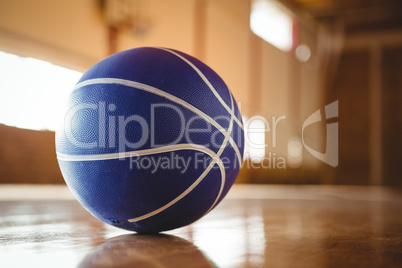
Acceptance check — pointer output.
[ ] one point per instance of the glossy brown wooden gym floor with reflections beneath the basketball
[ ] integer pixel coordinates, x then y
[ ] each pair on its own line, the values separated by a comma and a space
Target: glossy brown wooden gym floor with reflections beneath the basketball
255, 226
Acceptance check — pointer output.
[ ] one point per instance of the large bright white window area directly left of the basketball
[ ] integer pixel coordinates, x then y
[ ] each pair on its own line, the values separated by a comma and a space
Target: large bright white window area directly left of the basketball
32, 92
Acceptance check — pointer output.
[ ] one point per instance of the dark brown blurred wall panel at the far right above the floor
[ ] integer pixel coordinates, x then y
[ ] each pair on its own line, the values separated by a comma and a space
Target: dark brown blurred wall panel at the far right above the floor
368, 84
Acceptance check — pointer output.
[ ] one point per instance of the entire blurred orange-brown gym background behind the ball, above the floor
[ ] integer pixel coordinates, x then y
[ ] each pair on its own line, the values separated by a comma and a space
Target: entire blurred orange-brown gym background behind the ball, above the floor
282, 59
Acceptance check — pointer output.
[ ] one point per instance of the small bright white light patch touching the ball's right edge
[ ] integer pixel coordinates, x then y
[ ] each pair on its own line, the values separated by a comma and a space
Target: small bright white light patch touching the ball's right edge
254, 134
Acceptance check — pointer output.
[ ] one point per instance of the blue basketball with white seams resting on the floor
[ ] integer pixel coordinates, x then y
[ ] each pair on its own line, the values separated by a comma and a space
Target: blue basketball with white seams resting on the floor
152, 140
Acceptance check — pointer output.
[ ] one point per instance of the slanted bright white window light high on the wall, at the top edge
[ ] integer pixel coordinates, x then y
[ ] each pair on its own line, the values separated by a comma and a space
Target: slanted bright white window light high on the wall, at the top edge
270, 22
